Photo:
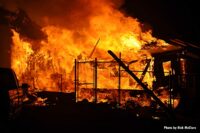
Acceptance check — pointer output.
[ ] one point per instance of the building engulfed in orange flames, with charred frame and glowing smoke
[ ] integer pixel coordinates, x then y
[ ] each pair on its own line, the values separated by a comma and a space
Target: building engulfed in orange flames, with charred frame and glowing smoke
69, 53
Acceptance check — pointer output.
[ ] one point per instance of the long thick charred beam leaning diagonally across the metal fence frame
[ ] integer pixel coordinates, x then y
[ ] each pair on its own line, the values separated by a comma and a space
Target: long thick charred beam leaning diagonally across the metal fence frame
146, 89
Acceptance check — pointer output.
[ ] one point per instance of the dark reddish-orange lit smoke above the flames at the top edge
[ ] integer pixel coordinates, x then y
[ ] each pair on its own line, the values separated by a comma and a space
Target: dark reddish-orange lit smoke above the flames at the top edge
71, 14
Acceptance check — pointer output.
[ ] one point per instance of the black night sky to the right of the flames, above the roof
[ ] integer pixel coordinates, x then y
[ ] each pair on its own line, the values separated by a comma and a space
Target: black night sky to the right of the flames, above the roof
169, 19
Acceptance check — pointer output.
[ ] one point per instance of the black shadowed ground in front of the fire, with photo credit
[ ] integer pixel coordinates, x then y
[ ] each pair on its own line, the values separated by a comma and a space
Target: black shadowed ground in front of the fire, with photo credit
65, 116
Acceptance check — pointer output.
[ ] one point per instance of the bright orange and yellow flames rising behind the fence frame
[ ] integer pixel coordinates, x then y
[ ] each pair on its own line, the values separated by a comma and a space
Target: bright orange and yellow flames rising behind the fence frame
49, 64
